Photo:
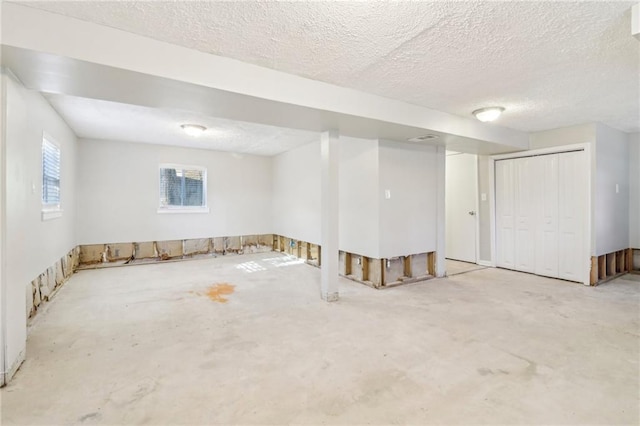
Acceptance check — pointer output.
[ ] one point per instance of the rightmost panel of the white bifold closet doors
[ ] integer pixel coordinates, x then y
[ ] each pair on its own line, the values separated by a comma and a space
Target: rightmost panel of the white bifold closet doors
572, 215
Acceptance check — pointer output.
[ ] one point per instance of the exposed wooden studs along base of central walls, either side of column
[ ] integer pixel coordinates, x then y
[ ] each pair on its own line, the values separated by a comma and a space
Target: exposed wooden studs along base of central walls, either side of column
373, 272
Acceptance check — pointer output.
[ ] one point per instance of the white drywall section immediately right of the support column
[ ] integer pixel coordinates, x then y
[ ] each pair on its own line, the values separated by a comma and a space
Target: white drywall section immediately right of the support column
359, 201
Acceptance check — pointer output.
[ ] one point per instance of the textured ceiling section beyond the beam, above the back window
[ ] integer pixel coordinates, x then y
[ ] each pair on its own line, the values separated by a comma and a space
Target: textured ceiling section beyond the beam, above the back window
96, 119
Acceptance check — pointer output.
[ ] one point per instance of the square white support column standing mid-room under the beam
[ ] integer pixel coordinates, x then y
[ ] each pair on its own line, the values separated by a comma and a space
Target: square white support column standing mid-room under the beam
329, 210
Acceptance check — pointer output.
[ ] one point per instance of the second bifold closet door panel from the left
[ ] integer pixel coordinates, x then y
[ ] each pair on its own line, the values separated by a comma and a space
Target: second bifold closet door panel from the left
526, 194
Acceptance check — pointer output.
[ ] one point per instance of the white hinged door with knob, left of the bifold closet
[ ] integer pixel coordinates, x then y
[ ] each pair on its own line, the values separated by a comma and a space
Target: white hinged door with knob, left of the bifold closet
460, 206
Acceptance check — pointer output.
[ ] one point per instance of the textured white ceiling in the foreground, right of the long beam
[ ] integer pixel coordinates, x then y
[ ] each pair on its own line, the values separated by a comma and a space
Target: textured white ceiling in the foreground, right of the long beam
551, 64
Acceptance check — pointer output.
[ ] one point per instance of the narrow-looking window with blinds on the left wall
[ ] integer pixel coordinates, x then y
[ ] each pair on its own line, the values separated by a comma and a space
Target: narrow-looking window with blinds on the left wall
50, 179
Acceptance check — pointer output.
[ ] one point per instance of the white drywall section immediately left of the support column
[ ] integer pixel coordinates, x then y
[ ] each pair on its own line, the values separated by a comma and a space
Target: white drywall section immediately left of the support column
296, 193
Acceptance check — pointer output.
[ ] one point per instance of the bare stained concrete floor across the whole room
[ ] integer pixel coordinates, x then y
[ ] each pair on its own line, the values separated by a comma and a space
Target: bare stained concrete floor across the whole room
154, 344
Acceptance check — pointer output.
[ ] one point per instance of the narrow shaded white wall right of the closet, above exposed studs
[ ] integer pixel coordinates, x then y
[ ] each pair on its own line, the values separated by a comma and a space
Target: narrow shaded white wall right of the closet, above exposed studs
611, 208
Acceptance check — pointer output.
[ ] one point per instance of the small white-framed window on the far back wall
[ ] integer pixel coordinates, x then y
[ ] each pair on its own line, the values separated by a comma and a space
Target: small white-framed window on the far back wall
183, 189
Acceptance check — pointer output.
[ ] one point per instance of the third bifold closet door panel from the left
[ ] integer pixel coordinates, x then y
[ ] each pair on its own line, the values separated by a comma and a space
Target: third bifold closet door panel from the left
546, 240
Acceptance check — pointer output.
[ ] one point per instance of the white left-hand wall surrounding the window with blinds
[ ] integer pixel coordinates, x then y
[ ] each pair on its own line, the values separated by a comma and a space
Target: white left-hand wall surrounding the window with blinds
32, 244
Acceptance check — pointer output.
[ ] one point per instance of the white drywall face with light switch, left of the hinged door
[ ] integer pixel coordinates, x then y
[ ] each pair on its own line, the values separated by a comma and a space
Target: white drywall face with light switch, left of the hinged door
408, 198
